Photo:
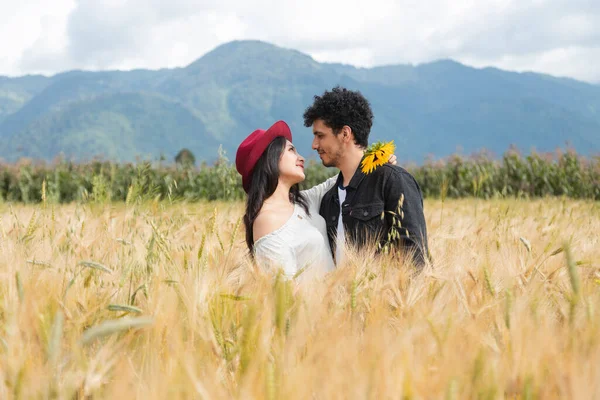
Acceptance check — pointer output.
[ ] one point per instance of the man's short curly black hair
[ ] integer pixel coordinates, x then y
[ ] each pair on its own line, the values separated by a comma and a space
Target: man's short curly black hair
340, 107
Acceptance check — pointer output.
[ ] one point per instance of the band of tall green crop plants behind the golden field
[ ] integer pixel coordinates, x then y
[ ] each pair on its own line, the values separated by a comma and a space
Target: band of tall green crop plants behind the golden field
514, 175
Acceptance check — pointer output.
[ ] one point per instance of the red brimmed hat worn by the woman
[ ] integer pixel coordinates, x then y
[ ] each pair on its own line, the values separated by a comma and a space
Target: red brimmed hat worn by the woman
254, 146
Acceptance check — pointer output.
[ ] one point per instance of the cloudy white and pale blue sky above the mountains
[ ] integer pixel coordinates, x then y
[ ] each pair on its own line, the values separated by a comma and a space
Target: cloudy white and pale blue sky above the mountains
559, 37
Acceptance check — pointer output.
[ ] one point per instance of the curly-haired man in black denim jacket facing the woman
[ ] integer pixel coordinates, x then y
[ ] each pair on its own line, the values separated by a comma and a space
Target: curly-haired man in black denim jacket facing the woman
341, 121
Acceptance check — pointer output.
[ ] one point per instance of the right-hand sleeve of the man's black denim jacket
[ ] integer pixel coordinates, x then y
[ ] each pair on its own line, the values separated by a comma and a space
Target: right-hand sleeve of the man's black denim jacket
403, 198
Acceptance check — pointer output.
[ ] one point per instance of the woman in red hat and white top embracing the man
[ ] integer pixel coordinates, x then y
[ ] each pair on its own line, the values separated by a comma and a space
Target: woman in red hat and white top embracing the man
283, 225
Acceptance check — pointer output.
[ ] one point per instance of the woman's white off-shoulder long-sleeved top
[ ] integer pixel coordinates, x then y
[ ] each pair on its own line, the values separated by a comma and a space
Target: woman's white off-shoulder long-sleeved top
300, 246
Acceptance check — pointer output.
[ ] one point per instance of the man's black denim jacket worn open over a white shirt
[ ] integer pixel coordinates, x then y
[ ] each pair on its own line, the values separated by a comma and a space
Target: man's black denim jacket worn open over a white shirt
370, 196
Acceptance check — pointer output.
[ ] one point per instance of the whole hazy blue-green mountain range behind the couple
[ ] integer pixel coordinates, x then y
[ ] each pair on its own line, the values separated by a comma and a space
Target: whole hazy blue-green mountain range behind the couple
428, 109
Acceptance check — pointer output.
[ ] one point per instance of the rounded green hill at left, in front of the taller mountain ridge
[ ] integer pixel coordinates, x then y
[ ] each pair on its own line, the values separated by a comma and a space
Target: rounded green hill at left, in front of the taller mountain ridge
122, 125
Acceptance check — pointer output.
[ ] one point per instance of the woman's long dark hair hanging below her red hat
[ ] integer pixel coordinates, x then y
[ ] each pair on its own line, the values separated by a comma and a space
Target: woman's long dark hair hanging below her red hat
265, 177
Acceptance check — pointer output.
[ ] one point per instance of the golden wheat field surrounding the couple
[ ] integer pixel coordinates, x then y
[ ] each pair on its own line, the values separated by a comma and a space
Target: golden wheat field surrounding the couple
160, 301
